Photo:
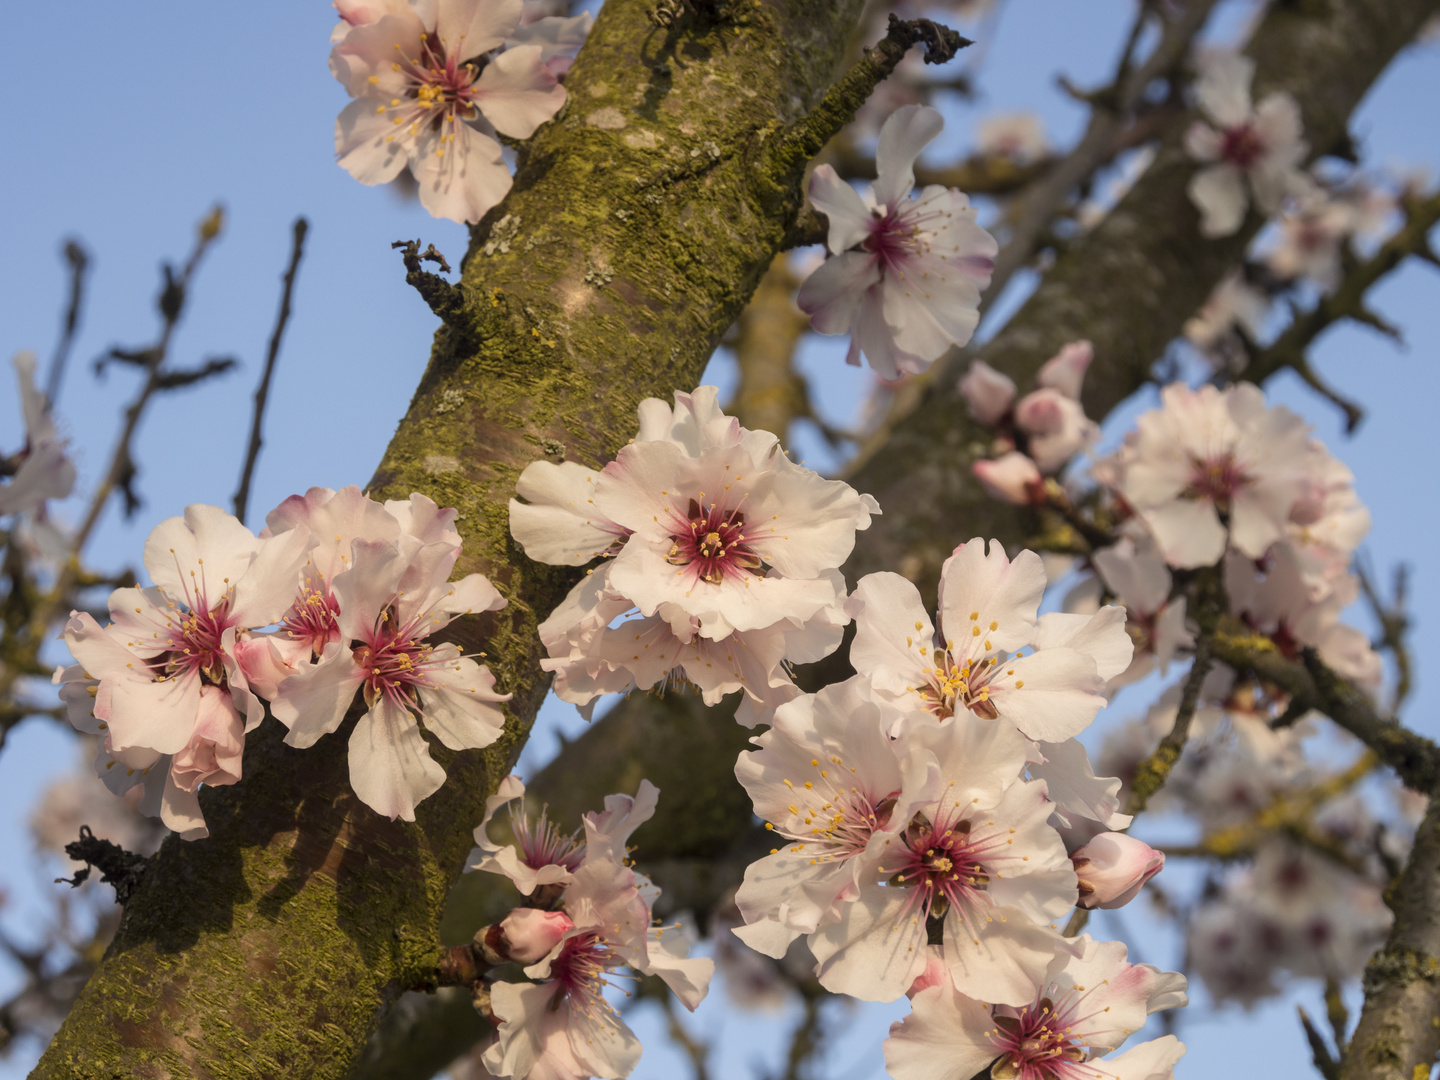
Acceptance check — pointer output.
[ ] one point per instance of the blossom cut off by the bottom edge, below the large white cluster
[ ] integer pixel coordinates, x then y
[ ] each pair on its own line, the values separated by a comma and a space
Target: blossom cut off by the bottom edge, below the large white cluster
1085, 1006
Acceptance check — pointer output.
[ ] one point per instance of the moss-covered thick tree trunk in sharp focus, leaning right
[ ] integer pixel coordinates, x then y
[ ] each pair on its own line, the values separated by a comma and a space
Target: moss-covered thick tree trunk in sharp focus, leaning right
640, 222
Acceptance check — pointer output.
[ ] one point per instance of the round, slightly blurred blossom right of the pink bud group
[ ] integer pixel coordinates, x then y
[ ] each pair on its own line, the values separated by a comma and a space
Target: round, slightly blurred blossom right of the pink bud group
1215, 467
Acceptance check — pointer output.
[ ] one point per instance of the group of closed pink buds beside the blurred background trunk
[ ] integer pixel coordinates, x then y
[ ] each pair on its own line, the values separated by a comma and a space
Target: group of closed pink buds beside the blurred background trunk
1038, 436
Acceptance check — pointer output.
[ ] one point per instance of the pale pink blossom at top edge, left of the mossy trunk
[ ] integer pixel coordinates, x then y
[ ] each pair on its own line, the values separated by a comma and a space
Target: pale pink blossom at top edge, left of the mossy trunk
433, 89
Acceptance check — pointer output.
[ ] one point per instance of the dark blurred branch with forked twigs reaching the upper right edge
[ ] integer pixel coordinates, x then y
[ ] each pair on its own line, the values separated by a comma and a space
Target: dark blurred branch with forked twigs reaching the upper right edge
1350, 302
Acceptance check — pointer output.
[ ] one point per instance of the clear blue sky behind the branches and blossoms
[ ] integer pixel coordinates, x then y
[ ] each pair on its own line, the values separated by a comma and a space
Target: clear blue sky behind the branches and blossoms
184, 106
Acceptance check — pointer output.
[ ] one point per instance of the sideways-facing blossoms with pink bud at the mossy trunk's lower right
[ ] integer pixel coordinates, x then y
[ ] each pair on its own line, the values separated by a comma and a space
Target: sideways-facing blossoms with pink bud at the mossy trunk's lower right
587, 914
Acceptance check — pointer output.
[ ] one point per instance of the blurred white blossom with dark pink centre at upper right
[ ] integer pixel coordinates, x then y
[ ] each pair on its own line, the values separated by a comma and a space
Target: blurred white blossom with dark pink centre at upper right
1243, 146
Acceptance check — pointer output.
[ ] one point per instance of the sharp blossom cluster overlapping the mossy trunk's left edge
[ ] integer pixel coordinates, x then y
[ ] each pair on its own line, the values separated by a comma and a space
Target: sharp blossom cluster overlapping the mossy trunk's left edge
352, 588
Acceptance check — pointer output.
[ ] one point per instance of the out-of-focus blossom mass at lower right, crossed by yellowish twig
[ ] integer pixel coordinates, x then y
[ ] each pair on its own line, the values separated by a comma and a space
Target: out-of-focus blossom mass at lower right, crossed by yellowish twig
1310, 898
